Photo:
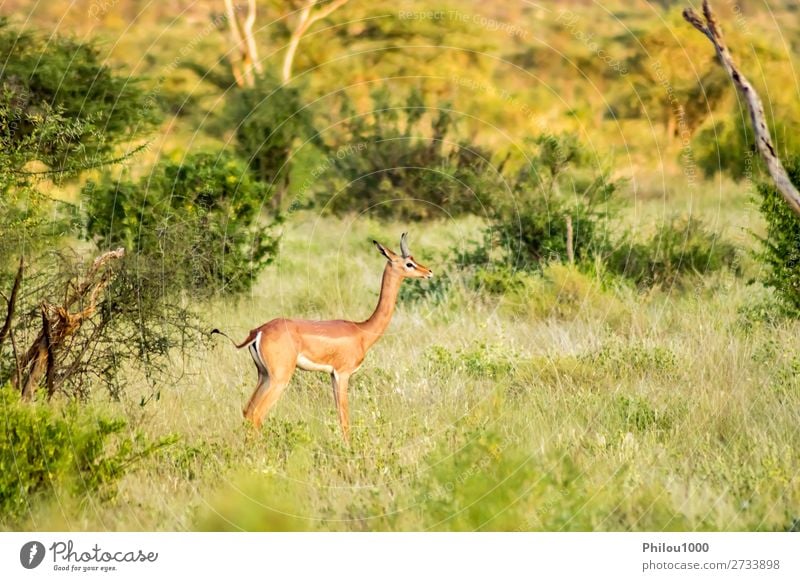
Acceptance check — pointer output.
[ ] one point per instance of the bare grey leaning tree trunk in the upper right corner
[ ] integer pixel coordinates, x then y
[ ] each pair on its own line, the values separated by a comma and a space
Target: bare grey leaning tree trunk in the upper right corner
711, 29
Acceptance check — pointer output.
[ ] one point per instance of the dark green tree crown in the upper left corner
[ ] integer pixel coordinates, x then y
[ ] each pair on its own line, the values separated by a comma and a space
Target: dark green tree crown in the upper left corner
60, 105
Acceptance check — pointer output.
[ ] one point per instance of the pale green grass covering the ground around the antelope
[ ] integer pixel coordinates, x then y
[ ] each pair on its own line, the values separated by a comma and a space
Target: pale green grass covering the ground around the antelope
663, 410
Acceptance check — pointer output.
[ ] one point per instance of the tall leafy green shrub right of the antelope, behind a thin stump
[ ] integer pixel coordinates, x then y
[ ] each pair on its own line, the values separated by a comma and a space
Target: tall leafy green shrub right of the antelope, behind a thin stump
531, 229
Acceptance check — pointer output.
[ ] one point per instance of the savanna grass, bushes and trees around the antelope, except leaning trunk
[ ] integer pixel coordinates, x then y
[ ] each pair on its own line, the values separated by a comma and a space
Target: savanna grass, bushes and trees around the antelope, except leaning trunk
610, 339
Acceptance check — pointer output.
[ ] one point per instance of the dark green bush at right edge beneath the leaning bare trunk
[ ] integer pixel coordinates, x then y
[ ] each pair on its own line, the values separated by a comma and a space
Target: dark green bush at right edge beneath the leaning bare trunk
780, 249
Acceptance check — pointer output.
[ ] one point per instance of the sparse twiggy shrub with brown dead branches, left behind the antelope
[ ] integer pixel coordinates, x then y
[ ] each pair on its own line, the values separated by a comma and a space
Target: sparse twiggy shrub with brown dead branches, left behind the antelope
110, 321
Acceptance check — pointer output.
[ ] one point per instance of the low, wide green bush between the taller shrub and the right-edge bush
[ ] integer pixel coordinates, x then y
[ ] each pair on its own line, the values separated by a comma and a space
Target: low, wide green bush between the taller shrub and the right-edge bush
680, 246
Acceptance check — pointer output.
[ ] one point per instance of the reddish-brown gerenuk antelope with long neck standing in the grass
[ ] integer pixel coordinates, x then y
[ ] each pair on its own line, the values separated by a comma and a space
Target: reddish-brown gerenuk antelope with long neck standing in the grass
335, 347
